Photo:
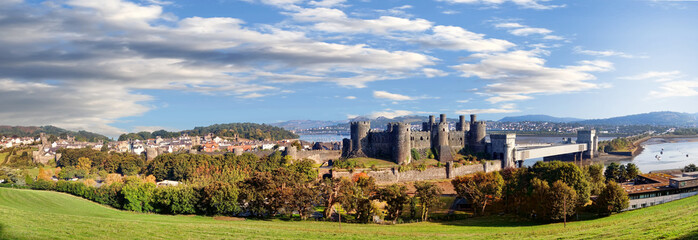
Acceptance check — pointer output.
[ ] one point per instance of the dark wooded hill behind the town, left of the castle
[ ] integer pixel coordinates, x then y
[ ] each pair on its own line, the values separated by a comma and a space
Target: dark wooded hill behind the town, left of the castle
243, 130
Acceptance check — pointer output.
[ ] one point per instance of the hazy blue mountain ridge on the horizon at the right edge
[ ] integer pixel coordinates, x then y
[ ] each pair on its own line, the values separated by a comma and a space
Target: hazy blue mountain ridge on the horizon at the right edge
676, 119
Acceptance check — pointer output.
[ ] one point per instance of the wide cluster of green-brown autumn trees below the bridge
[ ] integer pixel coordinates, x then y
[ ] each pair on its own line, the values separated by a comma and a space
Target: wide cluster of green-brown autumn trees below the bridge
548, 191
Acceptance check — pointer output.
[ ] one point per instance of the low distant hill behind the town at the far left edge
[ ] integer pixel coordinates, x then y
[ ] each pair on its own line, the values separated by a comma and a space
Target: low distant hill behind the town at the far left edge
32, 131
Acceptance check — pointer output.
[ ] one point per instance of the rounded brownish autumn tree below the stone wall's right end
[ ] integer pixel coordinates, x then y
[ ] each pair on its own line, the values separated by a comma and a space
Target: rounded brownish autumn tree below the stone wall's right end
480, 189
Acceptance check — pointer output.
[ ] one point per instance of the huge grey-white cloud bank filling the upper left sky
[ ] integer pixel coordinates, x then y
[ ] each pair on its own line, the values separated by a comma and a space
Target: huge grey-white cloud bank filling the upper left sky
86, 61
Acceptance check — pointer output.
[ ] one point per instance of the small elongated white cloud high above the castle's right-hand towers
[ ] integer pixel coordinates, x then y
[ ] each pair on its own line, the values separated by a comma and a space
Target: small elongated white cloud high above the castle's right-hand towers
457, 38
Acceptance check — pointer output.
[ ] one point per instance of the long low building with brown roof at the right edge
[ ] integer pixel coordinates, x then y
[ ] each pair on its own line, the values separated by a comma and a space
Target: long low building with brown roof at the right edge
657, 188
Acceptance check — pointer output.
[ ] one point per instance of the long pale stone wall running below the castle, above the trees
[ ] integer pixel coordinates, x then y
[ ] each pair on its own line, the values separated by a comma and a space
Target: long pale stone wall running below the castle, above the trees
389, 176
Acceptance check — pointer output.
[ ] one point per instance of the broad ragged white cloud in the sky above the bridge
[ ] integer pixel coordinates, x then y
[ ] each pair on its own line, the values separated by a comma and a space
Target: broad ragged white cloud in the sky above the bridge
516, 74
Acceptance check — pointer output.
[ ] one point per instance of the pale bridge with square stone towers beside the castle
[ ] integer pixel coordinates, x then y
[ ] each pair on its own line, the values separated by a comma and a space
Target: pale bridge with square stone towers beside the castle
503, 147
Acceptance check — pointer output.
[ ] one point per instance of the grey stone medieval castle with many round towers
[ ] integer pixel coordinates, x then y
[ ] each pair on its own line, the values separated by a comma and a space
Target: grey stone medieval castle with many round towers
398, 140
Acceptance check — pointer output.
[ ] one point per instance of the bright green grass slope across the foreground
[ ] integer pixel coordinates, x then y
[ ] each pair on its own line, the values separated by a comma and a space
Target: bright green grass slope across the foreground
28, 214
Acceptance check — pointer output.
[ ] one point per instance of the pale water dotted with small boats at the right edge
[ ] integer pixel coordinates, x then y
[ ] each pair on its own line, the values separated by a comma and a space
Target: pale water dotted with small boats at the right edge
673, 157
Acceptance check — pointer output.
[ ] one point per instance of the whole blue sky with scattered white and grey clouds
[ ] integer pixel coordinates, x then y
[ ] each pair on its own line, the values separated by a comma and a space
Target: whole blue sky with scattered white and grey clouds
115, 66
